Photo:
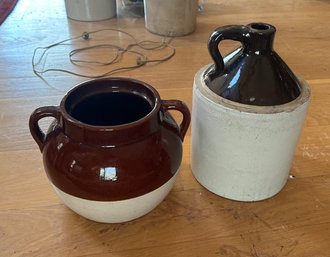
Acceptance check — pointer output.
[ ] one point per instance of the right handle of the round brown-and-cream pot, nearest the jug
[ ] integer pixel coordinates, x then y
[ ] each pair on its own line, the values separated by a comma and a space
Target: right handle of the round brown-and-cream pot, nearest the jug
181, 107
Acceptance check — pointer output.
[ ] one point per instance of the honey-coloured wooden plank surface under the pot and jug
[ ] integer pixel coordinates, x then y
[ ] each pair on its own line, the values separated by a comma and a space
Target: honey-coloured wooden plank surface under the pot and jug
191, 221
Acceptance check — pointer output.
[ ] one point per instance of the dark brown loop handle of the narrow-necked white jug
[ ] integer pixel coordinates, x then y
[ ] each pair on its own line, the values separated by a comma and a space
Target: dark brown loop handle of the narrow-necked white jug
232, 32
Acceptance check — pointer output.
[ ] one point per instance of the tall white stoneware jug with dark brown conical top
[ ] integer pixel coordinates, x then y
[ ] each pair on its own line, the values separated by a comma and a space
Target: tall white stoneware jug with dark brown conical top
248, 111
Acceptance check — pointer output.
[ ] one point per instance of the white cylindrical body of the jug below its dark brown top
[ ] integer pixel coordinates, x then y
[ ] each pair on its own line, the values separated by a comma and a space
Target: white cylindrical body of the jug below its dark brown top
243, 152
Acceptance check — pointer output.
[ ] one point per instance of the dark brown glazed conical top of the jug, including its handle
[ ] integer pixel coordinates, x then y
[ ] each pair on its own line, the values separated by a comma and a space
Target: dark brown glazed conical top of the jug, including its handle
253, 74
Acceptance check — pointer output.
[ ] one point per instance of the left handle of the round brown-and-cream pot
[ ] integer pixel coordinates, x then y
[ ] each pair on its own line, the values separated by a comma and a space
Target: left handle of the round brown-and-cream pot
38, 135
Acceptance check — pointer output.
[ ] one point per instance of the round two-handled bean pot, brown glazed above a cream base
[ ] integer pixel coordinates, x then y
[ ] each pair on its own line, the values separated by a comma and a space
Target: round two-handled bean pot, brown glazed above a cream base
113, 151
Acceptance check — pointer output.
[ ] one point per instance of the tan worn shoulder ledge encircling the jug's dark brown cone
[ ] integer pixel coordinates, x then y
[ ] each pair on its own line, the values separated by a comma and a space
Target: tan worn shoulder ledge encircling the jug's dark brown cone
303, 97
